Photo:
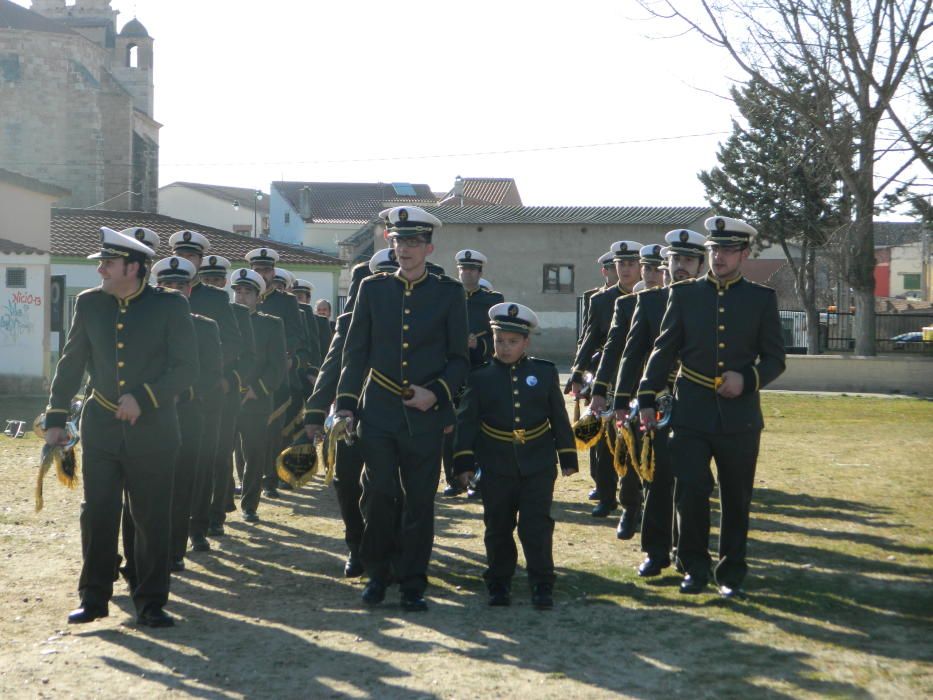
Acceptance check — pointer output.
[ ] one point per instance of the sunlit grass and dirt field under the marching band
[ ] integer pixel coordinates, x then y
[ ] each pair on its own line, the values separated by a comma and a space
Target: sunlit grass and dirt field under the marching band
841, 592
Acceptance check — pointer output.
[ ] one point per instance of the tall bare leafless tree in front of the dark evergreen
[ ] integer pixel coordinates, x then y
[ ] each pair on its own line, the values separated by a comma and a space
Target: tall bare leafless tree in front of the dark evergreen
862, 53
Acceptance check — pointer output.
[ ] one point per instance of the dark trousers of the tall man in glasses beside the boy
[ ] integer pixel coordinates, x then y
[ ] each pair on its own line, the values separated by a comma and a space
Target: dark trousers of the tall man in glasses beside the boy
395, 458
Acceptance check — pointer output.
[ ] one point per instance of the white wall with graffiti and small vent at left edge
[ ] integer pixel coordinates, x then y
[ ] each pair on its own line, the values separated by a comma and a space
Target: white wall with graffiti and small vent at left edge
24, 318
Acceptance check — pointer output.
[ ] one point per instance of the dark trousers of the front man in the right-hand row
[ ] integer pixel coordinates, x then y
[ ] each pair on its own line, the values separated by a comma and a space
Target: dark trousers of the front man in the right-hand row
735, 456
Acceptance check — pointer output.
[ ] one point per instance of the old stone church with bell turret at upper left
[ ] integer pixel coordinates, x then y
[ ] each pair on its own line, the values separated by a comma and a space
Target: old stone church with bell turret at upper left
76, 102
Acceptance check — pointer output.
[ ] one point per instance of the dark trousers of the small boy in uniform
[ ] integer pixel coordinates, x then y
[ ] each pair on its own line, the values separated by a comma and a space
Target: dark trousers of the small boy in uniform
524, 499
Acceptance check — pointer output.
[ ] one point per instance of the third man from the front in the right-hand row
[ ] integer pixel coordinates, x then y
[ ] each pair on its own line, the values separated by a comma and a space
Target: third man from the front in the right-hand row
648, 259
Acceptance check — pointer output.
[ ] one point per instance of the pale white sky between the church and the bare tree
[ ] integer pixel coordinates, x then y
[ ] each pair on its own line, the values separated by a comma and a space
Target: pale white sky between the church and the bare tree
589, 102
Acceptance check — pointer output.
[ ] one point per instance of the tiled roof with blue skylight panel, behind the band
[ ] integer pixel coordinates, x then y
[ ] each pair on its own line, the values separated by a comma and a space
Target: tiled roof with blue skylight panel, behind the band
351, 202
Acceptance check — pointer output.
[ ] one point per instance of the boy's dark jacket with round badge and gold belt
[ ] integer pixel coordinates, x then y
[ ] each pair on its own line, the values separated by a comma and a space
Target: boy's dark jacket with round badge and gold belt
505, 405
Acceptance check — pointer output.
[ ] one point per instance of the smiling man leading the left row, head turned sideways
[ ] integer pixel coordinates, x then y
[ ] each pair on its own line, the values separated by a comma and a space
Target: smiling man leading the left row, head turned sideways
136, 343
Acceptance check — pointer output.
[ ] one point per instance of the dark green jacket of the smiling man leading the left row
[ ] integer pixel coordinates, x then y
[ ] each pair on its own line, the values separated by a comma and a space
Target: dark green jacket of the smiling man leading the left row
143, 345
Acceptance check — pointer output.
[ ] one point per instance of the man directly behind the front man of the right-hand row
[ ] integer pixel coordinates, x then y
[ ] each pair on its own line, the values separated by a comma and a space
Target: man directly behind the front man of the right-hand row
684, 259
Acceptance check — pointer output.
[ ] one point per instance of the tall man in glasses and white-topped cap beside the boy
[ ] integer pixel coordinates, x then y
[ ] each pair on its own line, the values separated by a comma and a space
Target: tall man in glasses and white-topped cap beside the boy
407, 402
